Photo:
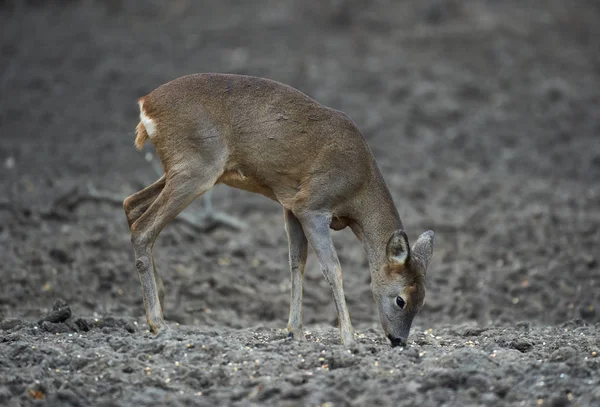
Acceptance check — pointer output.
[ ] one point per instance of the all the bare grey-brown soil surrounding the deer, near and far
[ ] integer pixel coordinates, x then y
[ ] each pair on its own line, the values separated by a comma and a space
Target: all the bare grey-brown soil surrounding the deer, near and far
484, 117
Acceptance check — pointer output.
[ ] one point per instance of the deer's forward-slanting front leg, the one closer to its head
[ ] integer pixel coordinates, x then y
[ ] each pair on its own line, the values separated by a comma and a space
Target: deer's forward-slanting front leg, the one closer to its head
316, 228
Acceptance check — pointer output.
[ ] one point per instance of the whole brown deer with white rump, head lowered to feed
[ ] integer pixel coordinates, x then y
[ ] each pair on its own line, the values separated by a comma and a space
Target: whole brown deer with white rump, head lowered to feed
265, 137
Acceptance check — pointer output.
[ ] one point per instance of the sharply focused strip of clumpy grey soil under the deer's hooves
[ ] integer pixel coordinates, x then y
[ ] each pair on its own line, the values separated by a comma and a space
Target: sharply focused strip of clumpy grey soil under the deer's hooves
103, 361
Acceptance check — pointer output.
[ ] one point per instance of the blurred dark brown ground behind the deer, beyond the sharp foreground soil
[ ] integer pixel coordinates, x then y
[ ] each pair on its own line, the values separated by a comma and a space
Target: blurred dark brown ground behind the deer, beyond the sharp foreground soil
483, 116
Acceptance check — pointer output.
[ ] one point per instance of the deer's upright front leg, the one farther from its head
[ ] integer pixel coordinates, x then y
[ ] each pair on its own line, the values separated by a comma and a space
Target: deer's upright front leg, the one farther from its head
298, 247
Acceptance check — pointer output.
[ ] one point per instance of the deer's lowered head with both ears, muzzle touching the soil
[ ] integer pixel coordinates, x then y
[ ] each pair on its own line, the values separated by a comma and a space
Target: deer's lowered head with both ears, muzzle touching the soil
399, 286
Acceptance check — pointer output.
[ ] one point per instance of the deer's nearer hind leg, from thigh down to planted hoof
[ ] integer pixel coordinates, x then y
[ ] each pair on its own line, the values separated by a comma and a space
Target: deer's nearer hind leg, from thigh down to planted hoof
180, 189
